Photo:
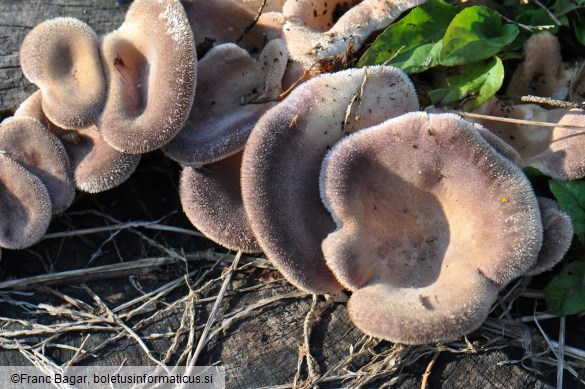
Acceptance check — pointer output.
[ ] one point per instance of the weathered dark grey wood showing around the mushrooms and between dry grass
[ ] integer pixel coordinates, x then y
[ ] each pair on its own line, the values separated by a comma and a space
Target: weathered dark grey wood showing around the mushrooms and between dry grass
259, 349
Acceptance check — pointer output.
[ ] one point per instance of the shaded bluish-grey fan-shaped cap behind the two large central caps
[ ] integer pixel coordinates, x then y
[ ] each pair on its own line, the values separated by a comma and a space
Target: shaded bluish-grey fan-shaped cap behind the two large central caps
233, 91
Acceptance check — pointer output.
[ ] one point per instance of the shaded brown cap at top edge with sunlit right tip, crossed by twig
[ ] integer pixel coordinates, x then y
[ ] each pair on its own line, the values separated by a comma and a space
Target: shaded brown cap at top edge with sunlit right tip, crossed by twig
225, 21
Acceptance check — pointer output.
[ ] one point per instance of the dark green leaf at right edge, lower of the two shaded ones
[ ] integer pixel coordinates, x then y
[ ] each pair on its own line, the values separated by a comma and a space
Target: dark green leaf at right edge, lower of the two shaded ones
565, 294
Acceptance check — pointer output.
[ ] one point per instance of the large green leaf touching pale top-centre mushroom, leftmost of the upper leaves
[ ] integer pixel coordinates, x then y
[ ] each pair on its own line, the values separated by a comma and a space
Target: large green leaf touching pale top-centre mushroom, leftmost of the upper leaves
413, 44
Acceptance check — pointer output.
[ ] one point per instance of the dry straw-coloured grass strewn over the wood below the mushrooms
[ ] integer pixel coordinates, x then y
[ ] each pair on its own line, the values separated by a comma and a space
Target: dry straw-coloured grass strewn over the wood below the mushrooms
367, 361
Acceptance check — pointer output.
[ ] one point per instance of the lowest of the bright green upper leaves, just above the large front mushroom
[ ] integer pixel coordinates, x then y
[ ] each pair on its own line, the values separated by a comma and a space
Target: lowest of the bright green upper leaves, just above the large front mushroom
475, 83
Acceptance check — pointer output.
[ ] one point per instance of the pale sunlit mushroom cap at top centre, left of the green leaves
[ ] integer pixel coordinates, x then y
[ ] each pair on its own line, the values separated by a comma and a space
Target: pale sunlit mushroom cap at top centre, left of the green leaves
315, 30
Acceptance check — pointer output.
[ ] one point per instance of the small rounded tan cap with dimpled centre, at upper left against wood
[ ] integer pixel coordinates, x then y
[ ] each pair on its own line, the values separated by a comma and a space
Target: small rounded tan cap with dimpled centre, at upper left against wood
62, 57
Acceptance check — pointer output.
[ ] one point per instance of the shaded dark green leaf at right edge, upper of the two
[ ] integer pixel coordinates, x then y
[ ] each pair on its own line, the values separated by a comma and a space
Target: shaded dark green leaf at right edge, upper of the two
571, 198
